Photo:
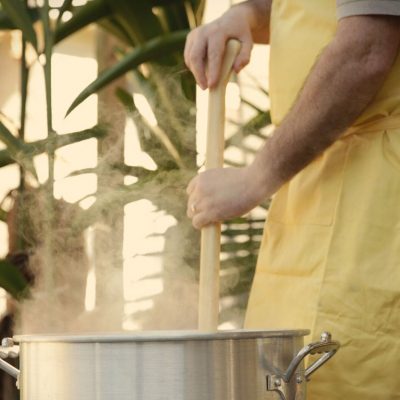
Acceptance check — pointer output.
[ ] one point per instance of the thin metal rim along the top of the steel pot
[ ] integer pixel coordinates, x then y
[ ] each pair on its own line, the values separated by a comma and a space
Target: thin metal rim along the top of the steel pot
163, 336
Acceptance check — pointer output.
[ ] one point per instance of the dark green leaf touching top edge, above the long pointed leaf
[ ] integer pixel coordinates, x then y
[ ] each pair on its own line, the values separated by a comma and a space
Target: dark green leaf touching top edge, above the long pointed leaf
91, 12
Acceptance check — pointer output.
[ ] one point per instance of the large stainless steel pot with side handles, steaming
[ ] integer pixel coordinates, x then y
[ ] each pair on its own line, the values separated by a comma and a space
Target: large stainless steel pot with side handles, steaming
239, 365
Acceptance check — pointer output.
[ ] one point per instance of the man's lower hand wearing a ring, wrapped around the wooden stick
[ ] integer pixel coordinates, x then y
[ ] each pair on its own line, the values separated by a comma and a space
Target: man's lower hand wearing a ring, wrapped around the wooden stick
223, 193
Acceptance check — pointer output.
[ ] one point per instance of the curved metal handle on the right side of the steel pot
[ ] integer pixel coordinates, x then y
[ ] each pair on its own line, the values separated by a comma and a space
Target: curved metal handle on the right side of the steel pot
326, 345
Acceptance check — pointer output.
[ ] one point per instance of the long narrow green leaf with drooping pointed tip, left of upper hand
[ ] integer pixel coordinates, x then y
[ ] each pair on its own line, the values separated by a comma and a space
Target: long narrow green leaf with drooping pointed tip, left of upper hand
152, 50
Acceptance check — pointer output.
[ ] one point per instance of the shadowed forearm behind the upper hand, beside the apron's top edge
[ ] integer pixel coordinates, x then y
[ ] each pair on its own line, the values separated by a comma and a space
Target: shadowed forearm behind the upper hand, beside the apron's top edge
258, 13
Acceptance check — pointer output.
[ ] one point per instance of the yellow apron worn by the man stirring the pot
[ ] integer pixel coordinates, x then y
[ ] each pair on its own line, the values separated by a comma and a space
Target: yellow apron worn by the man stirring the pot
330, 257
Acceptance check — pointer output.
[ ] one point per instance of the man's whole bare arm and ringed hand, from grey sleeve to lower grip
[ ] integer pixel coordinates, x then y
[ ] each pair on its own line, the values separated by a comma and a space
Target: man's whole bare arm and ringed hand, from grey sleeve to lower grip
345, 79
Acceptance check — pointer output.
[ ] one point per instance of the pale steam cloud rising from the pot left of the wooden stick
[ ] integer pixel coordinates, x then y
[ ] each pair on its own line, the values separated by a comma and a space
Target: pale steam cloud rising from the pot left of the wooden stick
78, 253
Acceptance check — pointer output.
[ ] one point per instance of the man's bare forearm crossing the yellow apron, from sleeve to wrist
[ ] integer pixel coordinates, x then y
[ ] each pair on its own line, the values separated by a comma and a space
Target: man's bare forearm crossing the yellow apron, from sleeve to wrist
343, 82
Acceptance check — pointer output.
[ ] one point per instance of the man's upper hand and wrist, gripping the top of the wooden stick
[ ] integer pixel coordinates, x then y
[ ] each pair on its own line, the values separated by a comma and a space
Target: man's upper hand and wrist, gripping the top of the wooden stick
205, 46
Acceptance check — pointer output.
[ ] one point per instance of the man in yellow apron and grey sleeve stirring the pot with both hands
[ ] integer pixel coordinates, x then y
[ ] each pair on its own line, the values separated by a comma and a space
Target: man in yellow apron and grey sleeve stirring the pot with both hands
330, 257
